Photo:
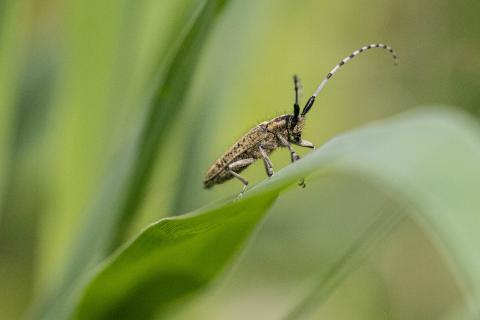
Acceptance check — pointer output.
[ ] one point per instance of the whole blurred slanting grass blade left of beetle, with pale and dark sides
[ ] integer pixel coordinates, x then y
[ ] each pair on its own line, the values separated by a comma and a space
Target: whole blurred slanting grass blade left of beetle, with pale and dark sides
124, 185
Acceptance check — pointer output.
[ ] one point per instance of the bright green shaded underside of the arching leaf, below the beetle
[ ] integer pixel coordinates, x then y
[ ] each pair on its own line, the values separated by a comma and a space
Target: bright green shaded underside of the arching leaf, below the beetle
171, 259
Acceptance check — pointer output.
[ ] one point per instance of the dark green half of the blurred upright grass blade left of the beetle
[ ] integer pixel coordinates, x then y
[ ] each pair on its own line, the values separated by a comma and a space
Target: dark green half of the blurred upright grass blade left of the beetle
166, 104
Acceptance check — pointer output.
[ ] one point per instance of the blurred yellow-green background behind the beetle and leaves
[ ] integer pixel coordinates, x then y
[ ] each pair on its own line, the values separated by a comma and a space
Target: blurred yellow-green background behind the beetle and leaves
74, 77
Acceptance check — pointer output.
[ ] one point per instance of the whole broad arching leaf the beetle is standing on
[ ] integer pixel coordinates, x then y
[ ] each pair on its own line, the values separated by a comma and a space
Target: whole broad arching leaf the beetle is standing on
427, 159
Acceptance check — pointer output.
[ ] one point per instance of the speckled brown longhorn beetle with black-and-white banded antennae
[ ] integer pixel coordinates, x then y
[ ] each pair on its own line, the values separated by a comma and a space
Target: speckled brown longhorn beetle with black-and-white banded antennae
282, 131
